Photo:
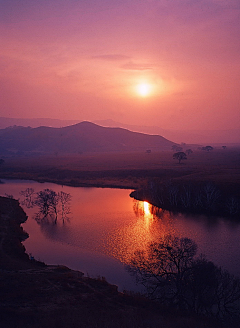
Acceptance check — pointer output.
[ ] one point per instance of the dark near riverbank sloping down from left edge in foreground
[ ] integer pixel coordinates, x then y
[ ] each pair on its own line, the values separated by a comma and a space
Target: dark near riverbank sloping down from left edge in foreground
37, 295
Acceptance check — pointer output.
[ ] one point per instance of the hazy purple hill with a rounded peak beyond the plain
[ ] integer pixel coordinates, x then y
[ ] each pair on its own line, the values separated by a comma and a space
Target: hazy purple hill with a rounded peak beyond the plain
78, 138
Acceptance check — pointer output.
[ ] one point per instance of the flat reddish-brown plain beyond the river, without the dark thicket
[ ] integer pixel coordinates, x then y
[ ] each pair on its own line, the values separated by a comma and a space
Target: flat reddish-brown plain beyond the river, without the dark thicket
127, 170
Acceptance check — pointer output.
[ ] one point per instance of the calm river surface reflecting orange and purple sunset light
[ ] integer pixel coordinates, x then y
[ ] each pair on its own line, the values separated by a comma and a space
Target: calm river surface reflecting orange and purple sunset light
106, 226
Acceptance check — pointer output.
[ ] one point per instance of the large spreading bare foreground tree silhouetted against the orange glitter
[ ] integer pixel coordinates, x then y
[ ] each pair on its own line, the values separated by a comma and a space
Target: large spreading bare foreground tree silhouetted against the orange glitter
163, 266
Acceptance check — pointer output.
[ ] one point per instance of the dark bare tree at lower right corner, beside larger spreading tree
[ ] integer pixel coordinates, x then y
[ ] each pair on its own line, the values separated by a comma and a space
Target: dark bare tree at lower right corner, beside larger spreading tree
214, 291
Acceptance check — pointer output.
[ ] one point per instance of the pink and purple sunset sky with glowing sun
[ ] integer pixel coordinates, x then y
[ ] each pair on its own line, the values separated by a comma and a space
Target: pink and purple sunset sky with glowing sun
168, 63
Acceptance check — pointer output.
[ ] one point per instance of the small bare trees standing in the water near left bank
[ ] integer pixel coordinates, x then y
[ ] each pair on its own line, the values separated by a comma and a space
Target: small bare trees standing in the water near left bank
50, 204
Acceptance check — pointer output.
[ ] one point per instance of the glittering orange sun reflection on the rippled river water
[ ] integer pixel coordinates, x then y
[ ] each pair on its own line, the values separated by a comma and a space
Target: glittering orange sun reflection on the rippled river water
150, 224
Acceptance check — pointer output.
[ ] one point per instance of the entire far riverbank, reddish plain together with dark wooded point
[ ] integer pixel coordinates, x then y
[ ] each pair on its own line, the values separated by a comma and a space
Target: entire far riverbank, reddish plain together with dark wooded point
206, 183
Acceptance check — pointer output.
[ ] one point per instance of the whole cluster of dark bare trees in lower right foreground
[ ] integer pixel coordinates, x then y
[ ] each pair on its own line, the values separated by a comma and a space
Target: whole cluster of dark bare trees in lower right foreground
173, 275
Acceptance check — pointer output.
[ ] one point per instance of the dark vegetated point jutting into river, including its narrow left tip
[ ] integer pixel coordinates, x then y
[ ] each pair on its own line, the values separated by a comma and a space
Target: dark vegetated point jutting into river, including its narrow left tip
197, 198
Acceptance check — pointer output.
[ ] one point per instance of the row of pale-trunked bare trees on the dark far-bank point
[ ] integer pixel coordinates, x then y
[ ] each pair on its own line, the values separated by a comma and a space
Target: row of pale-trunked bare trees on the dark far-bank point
199, 198
